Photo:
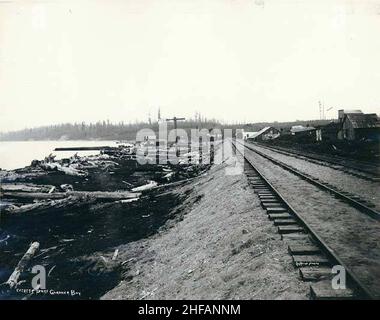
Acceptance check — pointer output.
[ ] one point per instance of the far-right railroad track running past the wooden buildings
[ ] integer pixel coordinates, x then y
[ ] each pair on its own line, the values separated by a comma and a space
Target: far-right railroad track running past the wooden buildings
361, 170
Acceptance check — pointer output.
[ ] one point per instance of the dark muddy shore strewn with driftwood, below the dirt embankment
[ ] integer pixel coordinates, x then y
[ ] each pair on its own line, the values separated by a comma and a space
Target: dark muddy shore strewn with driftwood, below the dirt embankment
79, 214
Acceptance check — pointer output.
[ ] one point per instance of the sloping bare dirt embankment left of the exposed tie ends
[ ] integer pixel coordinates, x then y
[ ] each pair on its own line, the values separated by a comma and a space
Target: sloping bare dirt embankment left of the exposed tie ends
221, 245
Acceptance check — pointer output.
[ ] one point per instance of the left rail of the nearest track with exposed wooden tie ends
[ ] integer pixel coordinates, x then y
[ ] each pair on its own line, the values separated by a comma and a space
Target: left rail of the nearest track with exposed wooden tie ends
310, 253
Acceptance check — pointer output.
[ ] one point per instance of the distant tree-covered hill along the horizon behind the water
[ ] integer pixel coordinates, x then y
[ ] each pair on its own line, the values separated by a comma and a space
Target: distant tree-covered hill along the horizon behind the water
122, 131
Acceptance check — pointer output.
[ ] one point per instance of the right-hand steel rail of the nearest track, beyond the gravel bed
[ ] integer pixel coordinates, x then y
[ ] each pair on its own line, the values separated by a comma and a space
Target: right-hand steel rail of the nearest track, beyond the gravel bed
361, 205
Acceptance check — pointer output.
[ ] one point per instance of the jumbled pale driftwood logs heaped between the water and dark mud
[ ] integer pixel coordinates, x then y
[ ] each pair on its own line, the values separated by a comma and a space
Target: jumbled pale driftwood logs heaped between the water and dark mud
26, 197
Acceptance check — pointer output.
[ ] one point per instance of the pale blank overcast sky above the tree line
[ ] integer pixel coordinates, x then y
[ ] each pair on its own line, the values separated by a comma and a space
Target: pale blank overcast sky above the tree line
235, 60
